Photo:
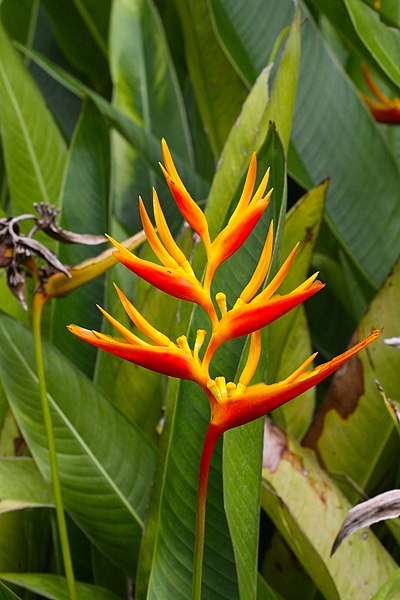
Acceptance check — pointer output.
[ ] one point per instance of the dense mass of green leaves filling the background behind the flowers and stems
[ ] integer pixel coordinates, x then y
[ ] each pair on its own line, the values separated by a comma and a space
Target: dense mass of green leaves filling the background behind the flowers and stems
87, 89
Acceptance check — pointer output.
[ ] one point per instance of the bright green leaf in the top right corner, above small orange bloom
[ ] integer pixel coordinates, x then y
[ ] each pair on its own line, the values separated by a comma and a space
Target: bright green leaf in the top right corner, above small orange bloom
383, 42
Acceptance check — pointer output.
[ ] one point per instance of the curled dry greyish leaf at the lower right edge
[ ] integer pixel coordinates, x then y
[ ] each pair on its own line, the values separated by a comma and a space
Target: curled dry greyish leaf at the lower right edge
384, 506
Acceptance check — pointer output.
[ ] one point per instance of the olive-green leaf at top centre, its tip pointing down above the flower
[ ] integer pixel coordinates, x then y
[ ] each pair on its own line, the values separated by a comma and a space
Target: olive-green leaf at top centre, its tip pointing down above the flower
219, 91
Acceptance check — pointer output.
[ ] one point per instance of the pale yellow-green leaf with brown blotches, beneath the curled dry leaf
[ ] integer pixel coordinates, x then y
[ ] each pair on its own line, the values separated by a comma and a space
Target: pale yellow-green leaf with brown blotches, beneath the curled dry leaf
309, 527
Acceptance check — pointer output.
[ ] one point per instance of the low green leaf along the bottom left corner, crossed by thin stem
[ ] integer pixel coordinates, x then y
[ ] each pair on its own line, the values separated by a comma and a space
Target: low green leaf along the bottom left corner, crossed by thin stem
55, 587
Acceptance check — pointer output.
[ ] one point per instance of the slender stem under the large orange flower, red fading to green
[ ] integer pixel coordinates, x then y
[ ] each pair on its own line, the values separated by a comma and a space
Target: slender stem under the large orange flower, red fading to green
212, 435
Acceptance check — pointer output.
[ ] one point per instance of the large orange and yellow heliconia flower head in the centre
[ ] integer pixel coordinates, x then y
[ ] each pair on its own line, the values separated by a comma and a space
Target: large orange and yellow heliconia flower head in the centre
232, 404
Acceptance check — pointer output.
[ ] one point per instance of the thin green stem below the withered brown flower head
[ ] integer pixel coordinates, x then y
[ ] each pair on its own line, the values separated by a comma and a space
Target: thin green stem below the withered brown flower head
38, 303
